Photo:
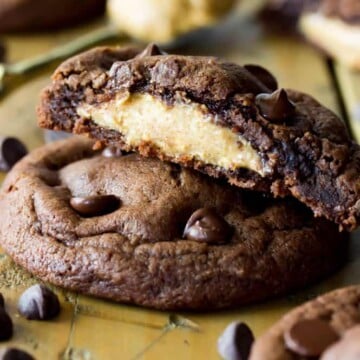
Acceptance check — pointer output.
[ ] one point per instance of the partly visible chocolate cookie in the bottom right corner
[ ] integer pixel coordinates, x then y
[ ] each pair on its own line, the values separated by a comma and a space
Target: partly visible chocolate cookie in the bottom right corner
327, 328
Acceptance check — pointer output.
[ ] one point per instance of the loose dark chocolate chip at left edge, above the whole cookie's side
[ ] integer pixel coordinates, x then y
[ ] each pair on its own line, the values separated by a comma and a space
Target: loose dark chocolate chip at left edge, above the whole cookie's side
12, 150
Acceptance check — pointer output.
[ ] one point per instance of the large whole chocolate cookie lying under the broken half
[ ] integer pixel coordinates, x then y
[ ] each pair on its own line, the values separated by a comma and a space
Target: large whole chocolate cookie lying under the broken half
142, 231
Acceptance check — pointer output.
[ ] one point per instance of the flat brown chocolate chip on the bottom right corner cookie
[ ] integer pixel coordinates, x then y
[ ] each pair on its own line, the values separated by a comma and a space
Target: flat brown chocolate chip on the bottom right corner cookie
310, 337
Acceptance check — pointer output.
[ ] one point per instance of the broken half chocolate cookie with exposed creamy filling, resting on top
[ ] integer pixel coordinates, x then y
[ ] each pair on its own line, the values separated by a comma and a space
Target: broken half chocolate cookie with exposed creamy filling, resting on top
213, 116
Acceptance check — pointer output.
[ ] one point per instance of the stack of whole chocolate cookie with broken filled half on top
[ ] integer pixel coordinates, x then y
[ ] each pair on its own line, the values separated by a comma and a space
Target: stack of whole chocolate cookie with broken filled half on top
204, 196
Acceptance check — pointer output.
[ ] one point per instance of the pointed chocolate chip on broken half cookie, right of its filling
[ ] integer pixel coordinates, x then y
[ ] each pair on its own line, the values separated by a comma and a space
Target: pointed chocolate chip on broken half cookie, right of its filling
276, 106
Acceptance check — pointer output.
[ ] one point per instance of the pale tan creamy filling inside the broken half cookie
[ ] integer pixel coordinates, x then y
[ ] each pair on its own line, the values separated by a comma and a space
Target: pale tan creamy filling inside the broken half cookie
183, 129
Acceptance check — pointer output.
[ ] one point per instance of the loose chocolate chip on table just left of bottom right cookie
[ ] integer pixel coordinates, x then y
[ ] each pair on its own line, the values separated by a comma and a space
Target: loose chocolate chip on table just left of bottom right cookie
235, 342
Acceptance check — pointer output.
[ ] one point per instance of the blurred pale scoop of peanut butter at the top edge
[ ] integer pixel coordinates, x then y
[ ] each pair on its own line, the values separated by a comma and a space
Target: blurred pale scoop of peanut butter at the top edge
162, 20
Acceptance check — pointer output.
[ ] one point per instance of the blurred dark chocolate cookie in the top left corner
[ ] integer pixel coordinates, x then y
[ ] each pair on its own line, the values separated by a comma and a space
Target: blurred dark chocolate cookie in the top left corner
34, 15
